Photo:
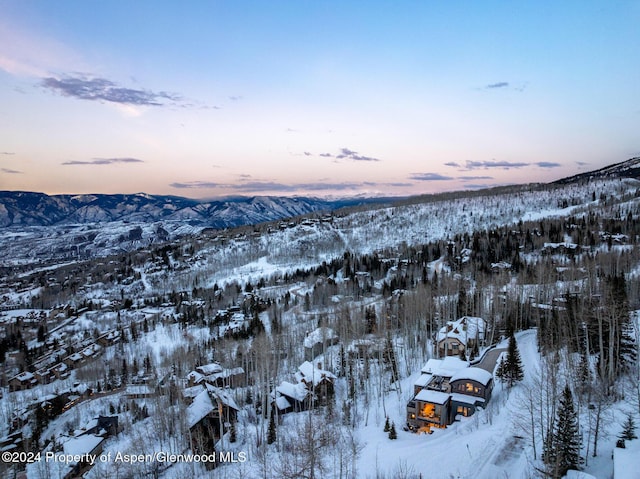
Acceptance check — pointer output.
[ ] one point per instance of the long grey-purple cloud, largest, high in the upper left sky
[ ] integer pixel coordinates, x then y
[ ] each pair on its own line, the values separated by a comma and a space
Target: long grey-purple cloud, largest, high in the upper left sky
101, 89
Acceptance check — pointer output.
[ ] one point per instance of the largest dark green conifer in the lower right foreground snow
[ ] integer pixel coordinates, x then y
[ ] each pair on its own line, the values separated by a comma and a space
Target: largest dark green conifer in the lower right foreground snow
562, 450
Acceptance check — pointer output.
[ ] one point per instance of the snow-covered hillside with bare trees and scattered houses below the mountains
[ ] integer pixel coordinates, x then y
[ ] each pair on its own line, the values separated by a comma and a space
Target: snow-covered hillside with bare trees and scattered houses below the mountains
284, 348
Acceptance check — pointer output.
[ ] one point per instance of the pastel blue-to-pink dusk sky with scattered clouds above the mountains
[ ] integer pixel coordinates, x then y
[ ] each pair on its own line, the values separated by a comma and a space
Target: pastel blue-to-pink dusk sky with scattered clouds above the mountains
207, 99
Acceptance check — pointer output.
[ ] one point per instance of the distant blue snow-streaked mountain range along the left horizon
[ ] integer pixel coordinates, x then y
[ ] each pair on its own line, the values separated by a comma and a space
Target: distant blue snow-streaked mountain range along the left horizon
18, 208
